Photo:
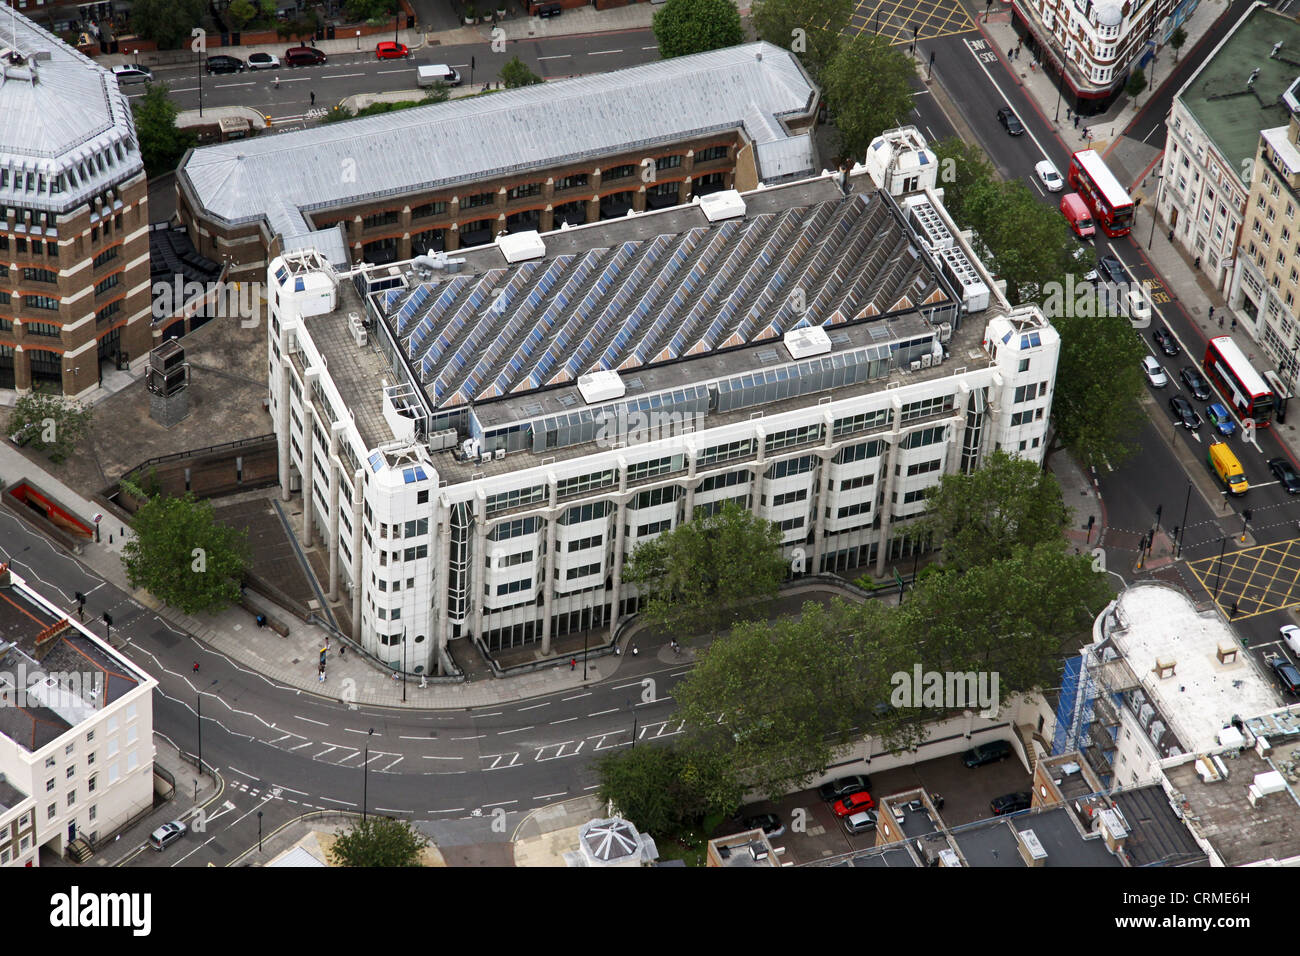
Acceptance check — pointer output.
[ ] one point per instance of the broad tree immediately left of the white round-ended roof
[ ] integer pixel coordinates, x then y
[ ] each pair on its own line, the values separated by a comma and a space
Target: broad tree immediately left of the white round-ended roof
1013, 617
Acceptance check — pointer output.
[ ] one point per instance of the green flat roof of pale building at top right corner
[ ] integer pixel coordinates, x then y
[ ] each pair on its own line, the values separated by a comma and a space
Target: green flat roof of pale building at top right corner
1217, 94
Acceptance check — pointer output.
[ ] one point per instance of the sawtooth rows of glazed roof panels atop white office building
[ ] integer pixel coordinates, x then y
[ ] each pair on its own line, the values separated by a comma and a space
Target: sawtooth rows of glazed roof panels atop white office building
475, 338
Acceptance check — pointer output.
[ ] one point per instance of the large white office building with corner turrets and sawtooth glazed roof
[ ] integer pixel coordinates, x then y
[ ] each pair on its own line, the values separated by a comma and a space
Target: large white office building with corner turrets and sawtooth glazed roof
483, 442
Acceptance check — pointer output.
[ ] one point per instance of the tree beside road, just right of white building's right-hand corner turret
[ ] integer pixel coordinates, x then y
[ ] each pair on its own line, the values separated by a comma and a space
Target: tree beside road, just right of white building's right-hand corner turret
1097, 406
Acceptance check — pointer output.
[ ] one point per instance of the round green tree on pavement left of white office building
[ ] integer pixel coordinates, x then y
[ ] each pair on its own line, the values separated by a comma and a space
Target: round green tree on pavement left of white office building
183, 556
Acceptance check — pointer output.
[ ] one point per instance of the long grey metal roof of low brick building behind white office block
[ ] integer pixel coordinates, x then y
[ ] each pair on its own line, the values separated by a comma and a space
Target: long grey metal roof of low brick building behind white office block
751, 86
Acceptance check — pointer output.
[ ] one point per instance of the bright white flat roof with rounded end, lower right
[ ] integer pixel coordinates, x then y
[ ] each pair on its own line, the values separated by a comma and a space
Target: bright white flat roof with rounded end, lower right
1202, 695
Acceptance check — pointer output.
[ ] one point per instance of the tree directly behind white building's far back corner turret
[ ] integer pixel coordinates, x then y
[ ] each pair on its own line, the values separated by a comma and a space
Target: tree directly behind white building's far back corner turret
869, 92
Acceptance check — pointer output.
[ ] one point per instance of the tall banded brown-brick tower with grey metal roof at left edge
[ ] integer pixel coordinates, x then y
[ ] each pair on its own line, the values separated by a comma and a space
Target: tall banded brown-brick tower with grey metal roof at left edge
75, 266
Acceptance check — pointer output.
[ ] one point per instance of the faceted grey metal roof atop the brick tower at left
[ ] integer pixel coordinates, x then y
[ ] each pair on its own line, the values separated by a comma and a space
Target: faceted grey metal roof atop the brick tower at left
62, 116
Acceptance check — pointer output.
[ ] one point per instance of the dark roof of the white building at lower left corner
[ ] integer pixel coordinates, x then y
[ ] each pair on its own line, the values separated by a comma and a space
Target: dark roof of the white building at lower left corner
71, 651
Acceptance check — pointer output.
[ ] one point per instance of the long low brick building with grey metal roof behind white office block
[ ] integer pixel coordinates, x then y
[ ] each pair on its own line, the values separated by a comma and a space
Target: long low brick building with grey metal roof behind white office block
458, 174
